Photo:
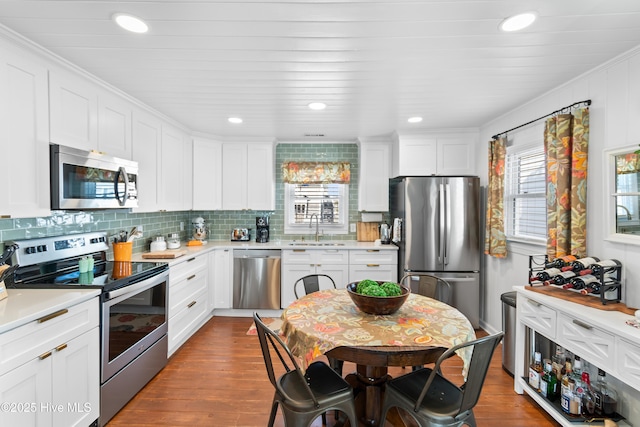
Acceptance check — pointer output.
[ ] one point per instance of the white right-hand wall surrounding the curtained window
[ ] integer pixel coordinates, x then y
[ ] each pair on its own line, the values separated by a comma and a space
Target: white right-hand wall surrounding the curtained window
614, 89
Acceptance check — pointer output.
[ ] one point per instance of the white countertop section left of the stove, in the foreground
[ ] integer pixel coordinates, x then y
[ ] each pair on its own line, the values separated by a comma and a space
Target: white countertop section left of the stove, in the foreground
25, 305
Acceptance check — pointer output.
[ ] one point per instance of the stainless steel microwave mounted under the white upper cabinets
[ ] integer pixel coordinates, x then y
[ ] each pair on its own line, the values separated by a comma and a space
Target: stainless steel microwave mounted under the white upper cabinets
91, 180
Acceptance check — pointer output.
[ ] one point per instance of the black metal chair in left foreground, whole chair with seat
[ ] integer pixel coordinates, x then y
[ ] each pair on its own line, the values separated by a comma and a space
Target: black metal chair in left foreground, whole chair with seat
303, 396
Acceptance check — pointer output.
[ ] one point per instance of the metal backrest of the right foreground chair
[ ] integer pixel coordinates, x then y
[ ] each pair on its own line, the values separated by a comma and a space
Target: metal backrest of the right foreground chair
483, 349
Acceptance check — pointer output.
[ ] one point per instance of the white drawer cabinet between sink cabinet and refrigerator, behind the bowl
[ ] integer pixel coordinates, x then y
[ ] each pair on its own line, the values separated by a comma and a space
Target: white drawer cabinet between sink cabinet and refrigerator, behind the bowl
374, 264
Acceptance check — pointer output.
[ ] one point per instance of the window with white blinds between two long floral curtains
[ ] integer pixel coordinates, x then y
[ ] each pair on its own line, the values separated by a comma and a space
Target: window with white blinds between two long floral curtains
525, 200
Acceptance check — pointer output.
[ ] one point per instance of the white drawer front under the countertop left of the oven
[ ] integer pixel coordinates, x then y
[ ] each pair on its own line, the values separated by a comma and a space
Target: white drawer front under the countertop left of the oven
33, 339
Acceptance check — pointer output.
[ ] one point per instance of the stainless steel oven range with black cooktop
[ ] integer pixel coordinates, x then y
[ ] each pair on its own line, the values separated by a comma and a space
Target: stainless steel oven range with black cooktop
134, 305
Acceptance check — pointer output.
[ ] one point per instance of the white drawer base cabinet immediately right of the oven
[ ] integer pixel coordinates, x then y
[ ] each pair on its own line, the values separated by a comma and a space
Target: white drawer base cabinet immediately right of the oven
188, 299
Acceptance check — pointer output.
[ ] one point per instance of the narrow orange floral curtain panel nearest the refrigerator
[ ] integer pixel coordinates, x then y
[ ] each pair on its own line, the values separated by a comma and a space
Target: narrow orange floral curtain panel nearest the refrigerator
495, 242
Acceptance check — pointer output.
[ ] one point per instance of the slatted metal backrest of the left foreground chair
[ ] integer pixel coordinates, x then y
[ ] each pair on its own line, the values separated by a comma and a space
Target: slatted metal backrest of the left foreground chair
270, 341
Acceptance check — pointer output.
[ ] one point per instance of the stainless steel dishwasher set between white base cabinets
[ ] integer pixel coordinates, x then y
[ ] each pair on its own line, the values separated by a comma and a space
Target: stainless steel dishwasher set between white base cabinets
256, 278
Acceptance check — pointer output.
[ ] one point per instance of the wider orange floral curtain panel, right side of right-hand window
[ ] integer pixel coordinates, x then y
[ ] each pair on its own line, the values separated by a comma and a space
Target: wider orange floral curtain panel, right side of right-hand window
566, 142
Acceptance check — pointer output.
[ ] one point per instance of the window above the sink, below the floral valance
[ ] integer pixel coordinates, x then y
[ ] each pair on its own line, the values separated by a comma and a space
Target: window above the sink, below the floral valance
329, 202
